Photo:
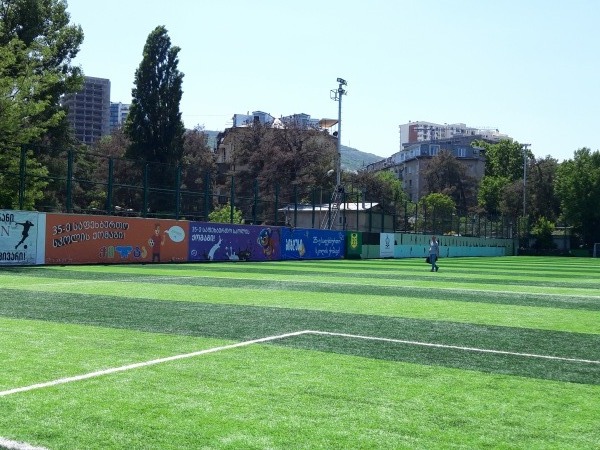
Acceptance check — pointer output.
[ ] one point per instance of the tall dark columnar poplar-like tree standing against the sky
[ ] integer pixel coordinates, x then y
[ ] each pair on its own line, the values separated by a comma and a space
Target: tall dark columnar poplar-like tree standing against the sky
154, 123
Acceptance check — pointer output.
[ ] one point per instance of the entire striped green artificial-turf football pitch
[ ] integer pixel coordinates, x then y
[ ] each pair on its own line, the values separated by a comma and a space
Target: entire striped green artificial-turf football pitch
351, 354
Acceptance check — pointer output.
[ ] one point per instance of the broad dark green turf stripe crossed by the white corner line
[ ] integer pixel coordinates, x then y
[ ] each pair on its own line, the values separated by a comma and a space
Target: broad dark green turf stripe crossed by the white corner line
235, 322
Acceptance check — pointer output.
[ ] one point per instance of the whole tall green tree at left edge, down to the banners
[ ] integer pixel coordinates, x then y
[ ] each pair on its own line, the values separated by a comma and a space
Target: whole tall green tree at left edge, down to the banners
37, 45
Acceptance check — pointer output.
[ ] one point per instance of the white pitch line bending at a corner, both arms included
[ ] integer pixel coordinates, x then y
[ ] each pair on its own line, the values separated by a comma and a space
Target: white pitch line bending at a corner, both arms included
277, 337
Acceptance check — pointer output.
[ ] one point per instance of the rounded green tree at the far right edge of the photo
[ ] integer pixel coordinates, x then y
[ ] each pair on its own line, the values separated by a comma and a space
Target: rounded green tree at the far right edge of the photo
578, 188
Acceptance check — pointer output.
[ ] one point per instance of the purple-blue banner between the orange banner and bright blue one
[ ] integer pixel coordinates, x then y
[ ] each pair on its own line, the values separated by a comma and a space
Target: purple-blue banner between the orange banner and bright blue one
225, 242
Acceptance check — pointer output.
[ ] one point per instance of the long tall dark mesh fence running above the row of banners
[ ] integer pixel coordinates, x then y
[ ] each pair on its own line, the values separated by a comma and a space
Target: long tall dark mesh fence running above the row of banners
89, 183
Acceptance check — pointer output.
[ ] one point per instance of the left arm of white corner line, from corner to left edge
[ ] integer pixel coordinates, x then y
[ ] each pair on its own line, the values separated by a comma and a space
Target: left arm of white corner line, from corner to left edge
145, 364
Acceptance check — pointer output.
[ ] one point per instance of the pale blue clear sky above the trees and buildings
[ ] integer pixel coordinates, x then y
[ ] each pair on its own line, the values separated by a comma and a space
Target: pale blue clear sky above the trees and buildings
529, 68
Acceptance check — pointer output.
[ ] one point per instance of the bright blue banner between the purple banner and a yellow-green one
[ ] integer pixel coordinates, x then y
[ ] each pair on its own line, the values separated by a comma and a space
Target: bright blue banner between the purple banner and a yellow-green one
302, 243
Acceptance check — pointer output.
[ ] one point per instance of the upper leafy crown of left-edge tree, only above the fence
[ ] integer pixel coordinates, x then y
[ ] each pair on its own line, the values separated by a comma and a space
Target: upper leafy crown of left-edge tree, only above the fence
38, 45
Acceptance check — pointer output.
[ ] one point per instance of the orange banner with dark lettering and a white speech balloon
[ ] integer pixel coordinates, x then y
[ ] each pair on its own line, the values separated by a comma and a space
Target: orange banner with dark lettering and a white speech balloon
78, 239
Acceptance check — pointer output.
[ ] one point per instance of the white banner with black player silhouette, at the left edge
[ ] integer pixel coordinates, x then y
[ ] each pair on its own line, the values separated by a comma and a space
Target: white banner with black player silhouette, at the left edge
19, 237
